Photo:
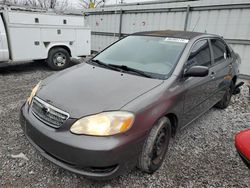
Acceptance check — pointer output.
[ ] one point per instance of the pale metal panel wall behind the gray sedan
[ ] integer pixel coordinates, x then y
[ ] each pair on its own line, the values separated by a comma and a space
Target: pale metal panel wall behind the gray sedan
228, 18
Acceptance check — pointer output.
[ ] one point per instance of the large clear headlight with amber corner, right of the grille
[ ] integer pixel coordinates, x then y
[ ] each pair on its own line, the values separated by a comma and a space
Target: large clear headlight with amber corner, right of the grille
104, 124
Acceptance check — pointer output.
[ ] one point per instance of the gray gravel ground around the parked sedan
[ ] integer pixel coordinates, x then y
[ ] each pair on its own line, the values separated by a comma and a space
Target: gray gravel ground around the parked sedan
201, 155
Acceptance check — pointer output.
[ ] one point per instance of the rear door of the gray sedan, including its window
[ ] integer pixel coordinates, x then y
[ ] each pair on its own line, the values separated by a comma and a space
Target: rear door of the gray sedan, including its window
221, 67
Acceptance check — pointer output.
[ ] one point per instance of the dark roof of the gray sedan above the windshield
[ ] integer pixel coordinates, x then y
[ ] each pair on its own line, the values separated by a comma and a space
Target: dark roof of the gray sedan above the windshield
172, 33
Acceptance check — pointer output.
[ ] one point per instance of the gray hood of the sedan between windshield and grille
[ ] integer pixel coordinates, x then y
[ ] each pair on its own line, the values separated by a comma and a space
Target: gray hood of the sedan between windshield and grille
85, 89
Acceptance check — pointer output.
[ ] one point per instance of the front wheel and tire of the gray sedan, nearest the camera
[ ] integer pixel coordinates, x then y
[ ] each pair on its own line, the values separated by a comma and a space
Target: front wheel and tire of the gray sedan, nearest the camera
155, 146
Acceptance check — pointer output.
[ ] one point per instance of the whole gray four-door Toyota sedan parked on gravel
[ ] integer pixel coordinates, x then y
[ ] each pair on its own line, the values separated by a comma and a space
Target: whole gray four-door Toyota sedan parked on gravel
120, 109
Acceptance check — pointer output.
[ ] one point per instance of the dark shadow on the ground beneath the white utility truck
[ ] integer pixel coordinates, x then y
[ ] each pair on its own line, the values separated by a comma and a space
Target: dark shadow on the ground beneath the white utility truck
9, 68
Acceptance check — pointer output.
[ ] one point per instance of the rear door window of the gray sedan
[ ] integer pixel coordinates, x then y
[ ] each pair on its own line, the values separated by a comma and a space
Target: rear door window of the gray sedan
220, 50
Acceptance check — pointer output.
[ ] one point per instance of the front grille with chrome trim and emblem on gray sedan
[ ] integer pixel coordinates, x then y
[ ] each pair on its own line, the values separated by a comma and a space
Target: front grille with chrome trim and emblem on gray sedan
48, 114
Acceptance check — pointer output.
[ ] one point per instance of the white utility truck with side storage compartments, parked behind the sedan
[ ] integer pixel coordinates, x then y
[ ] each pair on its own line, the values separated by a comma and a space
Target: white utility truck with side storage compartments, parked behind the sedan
33, 34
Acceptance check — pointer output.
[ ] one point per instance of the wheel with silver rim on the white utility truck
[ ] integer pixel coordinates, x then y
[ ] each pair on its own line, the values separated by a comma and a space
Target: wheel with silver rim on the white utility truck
58, 59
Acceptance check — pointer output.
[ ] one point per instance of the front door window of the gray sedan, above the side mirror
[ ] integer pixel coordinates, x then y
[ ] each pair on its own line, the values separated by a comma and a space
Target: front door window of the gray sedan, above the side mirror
200, 55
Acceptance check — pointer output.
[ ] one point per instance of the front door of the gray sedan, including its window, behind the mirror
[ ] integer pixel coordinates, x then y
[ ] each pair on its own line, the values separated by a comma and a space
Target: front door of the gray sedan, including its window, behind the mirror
198, 89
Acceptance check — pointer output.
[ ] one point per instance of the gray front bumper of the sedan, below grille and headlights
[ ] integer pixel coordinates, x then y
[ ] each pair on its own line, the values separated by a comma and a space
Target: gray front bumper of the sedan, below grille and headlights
95, 157
